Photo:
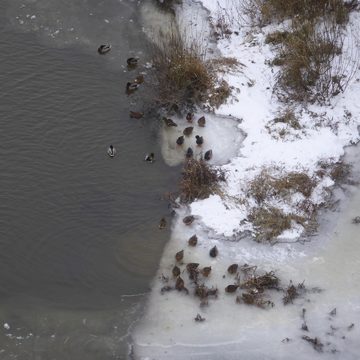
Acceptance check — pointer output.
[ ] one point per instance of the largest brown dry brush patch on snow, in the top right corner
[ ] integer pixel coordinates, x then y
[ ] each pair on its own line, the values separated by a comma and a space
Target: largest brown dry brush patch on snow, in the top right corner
310, 48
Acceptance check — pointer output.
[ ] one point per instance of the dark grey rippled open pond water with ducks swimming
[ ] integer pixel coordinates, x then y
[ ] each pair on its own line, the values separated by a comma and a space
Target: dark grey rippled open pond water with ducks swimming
79, 242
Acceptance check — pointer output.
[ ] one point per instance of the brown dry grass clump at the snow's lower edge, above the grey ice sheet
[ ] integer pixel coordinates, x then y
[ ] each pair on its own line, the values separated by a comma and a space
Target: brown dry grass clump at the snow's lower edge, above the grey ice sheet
271, 222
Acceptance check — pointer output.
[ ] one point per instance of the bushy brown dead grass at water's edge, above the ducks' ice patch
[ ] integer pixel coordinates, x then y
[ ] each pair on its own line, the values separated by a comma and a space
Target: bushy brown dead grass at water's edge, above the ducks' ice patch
184, 76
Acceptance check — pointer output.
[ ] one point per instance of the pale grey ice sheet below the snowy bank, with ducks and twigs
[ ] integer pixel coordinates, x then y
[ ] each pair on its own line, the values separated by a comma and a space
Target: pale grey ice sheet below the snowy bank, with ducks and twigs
232, 330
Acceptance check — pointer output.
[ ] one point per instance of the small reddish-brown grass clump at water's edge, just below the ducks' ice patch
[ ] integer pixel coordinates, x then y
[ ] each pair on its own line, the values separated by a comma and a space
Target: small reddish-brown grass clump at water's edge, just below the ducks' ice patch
199, 180
